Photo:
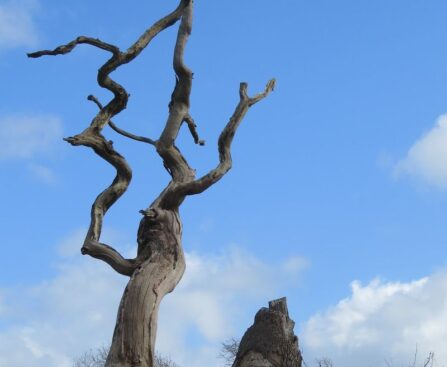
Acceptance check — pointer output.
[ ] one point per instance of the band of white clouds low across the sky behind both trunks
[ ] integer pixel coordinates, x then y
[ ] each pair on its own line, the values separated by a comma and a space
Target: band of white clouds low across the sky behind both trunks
51, 322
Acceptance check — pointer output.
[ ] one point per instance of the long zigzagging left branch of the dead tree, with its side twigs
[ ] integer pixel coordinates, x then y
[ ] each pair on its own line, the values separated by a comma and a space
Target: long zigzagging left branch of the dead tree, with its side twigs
92, 137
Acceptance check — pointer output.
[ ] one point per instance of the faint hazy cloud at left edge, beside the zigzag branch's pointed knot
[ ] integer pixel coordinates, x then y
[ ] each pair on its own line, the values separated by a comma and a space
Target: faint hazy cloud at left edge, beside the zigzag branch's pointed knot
25, 136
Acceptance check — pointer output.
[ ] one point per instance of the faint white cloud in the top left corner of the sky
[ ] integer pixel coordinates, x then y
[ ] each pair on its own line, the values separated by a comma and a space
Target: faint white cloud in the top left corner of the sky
17, 26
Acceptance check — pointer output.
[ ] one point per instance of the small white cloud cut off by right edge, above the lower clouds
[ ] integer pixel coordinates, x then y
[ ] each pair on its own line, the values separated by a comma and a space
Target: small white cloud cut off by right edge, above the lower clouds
427, 158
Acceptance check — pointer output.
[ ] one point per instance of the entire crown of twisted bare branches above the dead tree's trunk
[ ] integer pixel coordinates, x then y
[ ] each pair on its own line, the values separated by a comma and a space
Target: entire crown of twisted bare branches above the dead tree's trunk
183, 181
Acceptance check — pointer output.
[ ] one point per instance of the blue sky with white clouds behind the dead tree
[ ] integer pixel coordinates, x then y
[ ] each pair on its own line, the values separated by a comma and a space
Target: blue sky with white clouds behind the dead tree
336, 199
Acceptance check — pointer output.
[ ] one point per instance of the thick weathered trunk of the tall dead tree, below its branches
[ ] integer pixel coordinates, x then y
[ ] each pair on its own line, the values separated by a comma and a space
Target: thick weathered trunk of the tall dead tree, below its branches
159, 239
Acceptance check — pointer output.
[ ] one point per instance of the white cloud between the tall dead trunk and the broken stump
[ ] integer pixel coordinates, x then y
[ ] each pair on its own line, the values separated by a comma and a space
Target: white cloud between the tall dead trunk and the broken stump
217, 299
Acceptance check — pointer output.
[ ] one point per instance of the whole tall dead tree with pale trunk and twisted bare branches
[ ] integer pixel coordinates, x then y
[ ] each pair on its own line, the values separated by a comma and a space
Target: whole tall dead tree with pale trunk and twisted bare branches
160, 263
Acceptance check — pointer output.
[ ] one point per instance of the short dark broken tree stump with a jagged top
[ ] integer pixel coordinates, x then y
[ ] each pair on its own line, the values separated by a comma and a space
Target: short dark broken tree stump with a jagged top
270, 341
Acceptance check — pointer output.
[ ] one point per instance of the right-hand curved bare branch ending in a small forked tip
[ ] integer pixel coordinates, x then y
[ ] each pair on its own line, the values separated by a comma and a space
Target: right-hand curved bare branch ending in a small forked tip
225, 140
